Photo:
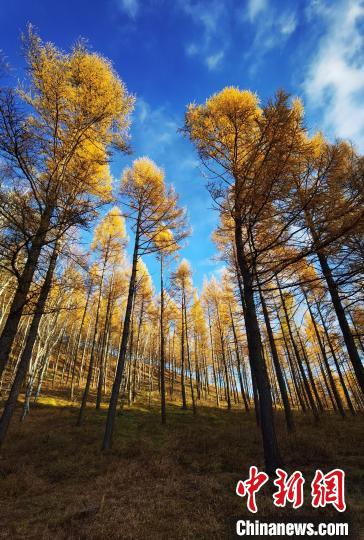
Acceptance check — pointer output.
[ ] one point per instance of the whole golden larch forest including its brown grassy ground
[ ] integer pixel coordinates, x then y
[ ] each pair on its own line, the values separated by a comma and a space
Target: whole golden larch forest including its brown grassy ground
111, 380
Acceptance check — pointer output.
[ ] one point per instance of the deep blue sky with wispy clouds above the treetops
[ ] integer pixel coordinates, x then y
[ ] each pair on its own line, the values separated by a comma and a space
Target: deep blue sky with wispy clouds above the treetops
172, 52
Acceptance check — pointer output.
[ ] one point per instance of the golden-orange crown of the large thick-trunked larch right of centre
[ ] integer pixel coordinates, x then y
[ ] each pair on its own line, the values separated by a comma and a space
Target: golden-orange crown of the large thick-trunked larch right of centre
256, 150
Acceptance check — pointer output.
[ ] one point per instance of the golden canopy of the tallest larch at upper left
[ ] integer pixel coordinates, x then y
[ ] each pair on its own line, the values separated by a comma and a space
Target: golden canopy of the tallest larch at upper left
79, 108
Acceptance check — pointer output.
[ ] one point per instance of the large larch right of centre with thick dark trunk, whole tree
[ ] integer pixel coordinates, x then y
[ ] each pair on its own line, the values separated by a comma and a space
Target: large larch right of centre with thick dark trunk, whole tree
248, 150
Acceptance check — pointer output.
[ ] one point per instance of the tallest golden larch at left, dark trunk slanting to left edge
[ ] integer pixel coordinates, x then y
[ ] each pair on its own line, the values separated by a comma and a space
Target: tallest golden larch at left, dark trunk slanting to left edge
55, 134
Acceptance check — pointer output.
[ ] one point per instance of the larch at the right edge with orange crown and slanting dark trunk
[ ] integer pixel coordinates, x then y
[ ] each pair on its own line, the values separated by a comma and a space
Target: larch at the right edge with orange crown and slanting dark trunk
332, 207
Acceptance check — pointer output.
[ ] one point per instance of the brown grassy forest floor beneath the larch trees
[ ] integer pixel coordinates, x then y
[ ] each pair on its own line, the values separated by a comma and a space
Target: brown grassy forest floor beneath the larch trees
175, 481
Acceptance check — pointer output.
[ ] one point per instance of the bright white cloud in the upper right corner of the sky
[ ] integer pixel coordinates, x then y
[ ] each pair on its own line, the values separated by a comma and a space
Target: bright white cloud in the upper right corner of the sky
334, 81
